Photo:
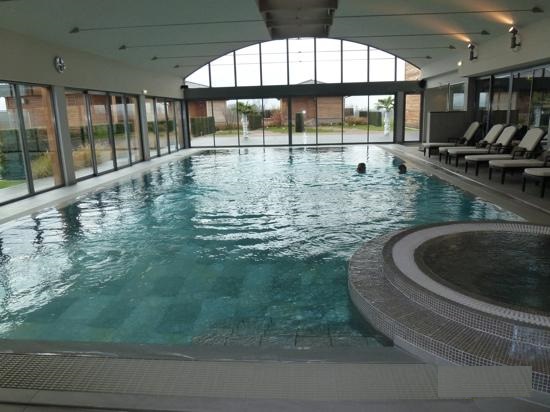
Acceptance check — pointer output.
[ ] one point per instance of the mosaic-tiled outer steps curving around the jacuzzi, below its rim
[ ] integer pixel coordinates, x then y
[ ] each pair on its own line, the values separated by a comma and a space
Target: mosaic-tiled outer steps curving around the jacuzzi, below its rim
419, 324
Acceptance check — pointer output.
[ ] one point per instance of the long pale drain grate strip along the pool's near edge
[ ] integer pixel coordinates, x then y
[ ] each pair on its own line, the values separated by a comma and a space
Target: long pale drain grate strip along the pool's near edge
259, 380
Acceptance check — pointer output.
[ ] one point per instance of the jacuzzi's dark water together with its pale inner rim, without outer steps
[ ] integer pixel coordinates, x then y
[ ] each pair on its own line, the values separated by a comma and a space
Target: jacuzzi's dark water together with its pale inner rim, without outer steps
502, 269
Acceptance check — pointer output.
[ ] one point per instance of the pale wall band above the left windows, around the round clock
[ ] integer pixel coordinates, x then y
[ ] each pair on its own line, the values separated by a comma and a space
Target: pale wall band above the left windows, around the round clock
27, 59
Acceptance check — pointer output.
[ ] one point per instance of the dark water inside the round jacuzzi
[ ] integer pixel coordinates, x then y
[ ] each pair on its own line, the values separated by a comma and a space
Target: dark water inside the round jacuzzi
511, 269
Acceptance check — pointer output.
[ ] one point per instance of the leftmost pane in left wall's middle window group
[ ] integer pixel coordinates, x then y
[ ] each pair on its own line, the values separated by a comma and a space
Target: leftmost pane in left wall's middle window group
79, 133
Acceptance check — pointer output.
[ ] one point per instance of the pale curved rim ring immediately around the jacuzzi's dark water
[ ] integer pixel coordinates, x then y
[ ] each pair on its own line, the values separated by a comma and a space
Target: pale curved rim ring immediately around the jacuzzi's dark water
403, 256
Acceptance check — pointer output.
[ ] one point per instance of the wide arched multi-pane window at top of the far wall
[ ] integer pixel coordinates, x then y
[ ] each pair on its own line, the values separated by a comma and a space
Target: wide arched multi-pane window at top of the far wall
302, 61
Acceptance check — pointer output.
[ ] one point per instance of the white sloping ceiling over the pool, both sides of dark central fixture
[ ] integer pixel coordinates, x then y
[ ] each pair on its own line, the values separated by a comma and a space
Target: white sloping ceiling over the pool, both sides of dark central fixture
52, 21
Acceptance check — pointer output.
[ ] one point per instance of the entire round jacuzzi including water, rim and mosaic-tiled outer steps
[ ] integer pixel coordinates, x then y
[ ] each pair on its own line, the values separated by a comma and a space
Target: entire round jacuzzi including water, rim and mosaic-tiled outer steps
469, 293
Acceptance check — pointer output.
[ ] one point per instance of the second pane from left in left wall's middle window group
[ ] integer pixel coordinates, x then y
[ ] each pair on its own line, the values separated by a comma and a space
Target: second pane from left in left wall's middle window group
101, 132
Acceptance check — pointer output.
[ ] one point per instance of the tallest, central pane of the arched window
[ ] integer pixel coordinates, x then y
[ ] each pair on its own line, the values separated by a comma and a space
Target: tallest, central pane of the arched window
301, 61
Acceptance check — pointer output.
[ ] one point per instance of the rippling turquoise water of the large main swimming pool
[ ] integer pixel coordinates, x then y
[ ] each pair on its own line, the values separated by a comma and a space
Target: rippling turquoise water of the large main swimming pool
240, 247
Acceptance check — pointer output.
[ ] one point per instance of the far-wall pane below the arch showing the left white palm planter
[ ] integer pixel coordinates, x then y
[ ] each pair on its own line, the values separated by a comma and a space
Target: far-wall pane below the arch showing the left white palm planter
249, 114
